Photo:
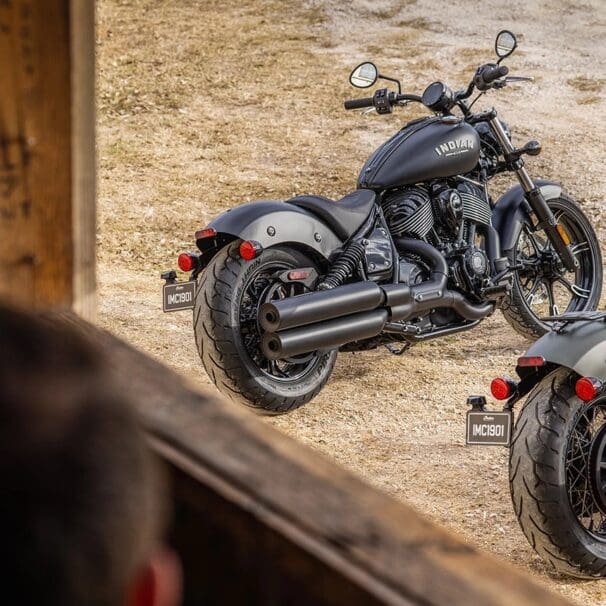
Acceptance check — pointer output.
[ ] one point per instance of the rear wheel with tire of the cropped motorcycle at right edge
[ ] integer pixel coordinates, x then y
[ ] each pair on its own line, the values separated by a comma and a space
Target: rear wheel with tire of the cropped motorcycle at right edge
557, 451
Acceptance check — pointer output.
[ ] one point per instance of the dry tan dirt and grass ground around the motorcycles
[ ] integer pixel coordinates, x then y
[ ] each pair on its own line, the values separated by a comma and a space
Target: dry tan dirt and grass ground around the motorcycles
203, 105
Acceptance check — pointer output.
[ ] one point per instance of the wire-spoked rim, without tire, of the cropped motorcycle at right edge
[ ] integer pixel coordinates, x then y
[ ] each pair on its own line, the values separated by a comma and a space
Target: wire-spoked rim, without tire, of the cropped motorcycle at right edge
586, 469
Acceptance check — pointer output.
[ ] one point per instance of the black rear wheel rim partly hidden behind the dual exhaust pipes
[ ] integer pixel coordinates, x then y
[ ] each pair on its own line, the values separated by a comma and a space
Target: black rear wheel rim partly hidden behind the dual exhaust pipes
259, 288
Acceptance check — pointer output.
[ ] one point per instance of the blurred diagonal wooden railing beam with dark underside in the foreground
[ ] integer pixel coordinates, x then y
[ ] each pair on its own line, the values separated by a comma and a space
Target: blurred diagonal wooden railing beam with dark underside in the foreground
261, 519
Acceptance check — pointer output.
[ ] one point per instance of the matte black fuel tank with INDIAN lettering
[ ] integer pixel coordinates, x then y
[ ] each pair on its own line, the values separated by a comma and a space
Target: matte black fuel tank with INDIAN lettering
430, 148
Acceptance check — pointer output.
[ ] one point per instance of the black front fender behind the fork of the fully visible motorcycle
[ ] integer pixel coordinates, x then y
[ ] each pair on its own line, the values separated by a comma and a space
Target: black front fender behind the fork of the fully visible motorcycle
509, 213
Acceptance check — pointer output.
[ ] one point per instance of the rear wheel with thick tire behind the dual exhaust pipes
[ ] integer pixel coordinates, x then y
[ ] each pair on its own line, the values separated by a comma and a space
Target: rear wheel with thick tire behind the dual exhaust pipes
230, 291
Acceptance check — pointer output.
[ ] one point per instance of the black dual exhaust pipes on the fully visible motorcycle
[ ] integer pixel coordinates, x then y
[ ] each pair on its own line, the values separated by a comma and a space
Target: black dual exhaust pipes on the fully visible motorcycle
330, 318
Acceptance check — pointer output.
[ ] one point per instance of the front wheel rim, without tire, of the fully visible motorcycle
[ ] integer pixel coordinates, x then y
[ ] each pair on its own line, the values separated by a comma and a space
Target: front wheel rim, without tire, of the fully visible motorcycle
547, 288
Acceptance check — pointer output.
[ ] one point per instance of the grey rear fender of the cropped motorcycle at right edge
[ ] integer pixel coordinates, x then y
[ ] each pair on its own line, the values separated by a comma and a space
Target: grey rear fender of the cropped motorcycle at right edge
580, 346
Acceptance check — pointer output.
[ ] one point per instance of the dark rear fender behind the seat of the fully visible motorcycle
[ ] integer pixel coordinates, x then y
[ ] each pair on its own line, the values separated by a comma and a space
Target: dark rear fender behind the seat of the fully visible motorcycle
271, 222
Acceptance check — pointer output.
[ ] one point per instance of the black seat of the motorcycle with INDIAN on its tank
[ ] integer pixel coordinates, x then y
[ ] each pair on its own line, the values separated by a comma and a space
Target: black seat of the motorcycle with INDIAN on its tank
344, 216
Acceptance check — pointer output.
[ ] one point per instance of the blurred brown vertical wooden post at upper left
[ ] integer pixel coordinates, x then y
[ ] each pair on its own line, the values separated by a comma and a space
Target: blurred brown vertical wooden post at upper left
47, 178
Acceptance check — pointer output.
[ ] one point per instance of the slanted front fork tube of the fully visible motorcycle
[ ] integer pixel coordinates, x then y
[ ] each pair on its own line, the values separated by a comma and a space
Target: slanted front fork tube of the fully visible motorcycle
556, 233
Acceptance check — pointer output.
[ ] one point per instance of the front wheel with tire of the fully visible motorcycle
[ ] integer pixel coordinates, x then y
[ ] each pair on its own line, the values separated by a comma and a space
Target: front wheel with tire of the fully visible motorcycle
542, 286
